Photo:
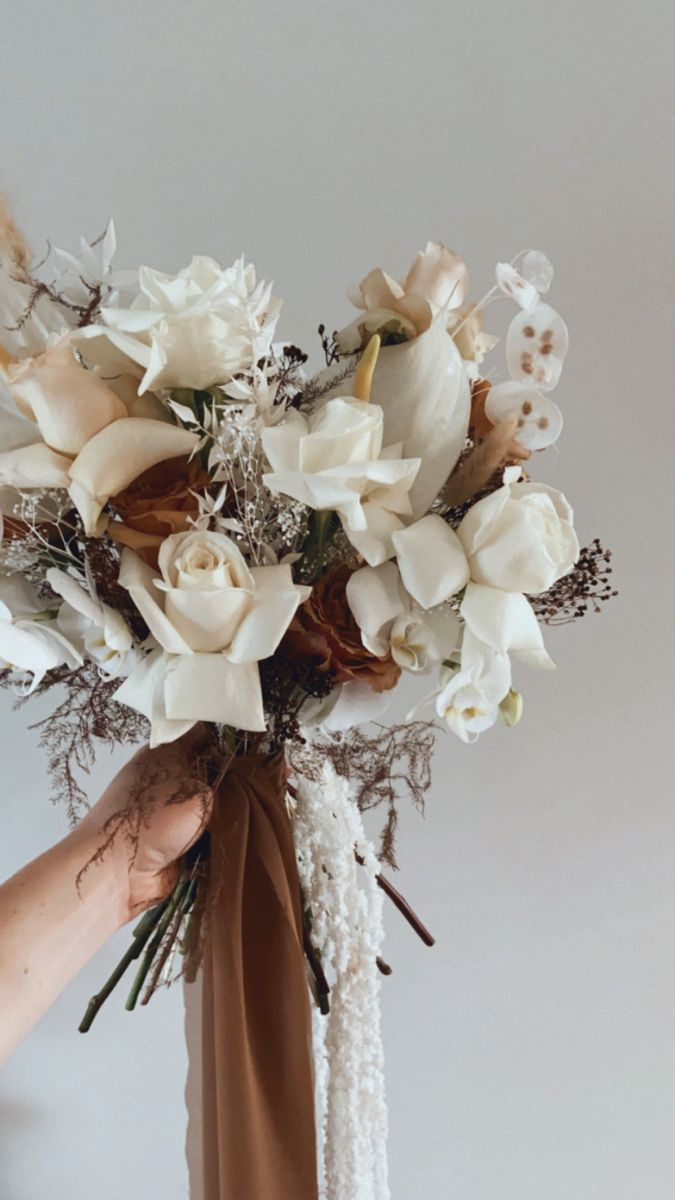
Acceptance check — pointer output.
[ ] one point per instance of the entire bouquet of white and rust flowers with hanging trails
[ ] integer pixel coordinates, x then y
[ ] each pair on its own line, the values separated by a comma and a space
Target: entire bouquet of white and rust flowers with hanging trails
196, 530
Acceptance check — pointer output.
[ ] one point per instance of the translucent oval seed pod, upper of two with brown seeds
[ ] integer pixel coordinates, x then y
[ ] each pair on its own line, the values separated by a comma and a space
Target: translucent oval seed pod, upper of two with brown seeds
536, 346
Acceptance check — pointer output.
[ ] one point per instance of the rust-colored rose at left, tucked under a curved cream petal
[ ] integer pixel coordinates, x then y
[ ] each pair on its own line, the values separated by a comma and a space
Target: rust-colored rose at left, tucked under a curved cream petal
159, 503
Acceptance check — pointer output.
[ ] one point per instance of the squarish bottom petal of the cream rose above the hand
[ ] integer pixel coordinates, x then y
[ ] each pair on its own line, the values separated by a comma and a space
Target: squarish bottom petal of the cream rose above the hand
211, 688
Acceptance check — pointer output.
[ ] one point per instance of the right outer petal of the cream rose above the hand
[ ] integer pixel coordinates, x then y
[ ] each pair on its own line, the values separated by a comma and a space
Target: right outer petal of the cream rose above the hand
276, 603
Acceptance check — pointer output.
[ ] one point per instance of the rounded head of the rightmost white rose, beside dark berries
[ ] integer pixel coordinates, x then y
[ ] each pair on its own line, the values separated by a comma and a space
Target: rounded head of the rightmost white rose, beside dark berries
521, 538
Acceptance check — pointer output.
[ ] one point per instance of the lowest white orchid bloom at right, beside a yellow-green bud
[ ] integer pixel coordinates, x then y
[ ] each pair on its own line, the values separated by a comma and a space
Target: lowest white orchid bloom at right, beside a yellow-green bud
470, 701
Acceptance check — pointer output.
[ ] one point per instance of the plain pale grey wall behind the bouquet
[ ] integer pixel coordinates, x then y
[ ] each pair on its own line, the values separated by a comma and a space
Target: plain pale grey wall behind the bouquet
531, 1054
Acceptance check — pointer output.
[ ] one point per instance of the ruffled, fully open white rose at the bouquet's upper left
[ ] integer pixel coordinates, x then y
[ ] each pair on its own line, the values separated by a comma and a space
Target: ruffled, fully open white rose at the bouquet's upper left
192, 331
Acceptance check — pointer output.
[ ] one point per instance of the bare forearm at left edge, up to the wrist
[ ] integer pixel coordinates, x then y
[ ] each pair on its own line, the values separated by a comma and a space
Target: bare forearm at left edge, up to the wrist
55, 920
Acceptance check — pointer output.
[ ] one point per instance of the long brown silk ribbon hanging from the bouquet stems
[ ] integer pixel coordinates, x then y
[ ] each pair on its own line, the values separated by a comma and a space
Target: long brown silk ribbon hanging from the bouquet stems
259, 1119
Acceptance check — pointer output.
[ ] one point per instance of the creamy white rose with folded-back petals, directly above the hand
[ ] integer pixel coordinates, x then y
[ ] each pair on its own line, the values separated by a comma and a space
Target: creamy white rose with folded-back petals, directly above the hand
214, 620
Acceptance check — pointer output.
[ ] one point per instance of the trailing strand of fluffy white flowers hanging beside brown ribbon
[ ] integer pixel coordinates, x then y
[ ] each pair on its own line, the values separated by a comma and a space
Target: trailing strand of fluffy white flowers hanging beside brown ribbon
348, 932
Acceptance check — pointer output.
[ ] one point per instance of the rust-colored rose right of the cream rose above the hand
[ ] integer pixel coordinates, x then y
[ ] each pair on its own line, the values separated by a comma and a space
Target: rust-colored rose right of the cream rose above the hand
325, 631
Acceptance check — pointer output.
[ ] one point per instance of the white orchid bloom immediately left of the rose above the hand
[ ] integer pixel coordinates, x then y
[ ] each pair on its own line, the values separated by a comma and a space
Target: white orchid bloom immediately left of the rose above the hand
97, 629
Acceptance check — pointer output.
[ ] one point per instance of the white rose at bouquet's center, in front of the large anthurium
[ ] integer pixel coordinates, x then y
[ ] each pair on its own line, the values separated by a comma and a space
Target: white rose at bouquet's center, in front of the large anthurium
334, 463
